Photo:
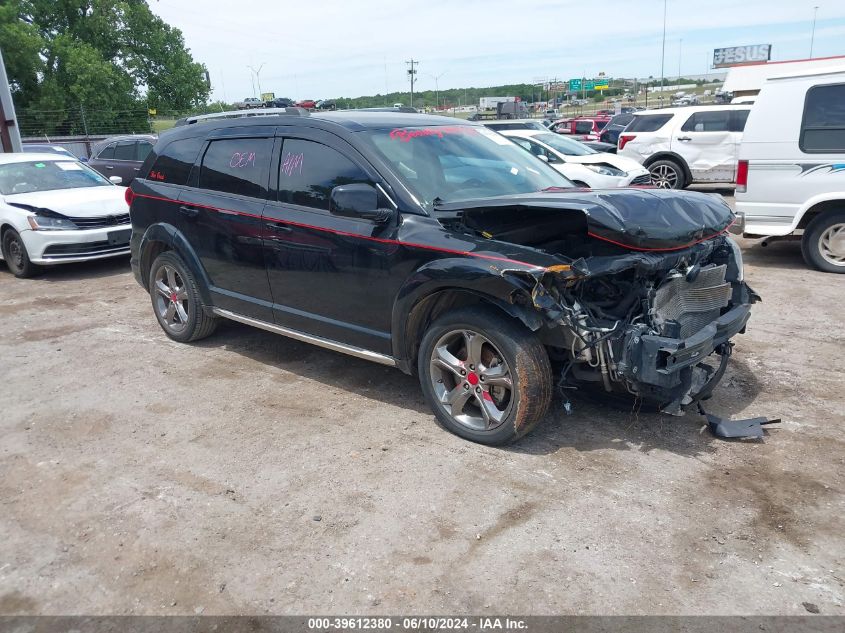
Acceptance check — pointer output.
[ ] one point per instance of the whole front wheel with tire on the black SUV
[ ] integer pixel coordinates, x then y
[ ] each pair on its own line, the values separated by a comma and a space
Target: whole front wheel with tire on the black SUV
485, 376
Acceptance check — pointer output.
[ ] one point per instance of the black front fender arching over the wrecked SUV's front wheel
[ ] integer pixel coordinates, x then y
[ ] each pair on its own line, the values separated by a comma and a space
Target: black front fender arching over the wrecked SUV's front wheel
509, 288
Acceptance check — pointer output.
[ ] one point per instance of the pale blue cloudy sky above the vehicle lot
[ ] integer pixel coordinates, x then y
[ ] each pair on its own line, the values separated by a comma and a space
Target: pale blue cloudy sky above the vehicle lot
315, 49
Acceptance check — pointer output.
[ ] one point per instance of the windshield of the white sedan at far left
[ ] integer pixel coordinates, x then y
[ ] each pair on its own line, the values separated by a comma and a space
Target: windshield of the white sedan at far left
47, 176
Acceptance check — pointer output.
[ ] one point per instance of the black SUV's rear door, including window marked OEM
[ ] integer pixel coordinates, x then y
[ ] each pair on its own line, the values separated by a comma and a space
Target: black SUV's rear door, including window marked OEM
220, 213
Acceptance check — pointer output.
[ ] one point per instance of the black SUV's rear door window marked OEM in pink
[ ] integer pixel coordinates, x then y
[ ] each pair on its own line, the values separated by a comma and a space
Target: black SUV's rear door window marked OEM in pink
239, 166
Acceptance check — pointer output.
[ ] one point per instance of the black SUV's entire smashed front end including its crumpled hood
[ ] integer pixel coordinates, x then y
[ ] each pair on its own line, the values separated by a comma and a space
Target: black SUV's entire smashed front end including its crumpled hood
648, 293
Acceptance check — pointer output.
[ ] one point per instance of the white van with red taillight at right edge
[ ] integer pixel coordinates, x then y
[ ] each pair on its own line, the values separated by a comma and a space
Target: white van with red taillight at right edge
791, 172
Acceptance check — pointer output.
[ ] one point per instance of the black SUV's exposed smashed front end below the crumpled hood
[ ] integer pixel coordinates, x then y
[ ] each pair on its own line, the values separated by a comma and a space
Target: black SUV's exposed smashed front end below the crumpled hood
655, 325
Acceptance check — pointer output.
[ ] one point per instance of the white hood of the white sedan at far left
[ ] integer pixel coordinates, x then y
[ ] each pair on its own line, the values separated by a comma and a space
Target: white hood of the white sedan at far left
83, 202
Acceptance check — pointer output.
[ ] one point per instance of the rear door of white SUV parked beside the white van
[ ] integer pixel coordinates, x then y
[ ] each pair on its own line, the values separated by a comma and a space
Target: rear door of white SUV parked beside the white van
708, 145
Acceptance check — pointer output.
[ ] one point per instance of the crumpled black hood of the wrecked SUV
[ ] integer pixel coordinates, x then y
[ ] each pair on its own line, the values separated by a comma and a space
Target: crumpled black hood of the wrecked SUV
638, 219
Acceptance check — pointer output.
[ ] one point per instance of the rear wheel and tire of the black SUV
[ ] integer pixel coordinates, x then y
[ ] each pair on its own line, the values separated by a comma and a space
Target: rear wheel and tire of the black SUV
176, 300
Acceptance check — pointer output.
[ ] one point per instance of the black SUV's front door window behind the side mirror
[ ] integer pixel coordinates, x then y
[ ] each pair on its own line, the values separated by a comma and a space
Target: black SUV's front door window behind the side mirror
308, 172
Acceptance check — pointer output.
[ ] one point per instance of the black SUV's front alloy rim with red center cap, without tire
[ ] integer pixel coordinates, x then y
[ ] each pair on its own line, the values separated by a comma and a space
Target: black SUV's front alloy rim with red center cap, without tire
471, 380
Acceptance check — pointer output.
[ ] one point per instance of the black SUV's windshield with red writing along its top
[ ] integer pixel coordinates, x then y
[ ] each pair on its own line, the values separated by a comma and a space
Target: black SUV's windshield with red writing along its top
449, 163
